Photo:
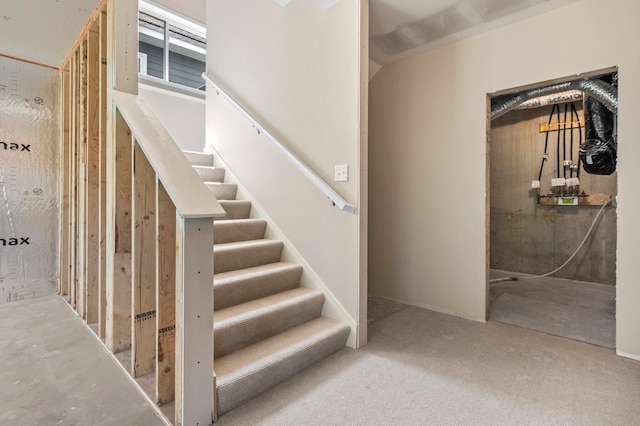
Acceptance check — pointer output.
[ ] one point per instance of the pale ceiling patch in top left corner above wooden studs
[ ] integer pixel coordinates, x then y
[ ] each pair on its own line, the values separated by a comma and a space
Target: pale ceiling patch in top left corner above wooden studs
42, 31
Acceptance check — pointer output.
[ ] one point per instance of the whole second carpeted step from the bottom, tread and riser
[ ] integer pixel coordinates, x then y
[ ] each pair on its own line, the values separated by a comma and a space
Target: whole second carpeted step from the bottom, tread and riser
242, 325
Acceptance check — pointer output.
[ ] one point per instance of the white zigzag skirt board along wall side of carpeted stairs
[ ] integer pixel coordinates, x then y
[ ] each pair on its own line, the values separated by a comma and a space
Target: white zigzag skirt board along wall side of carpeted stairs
332, 307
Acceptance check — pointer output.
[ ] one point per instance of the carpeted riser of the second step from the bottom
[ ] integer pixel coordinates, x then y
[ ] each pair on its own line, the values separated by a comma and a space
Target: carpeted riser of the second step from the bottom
269, 321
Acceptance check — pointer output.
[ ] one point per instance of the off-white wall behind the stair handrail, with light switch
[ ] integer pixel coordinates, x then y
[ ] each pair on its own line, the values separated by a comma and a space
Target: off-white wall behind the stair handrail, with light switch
298, 69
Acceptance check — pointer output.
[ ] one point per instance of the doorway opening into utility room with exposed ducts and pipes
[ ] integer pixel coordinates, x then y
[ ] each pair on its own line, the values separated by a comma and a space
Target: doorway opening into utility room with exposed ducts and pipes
552, 229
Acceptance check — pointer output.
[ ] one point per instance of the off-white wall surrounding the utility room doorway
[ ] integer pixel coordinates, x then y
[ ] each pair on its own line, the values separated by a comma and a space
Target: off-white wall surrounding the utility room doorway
428, 154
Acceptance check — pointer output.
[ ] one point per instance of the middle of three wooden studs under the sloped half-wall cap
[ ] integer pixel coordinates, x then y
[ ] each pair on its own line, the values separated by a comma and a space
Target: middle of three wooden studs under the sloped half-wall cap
143, 342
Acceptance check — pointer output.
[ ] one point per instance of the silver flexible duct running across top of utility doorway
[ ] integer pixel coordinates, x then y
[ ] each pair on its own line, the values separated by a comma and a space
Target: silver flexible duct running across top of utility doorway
604, 92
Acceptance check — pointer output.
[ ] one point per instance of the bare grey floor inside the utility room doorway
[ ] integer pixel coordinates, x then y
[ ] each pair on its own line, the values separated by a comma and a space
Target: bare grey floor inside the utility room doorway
577, 310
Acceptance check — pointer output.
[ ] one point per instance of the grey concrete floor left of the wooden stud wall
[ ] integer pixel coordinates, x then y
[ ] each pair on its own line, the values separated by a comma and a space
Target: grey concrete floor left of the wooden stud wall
54, 371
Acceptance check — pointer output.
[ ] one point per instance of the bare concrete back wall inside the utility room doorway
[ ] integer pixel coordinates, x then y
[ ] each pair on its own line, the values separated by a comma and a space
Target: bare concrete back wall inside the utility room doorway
532, 238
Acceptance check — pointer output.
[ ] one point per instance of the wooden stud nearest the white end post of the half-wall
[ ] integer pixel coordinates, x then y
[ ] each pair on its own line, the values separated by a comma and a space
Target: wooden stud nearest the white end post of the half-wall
165, 296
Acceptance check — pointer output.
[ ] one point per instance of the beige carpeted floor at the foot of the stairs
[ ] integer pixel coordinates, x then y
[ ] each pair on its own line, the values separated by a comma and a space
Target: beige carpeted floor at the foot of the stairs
422, 367
